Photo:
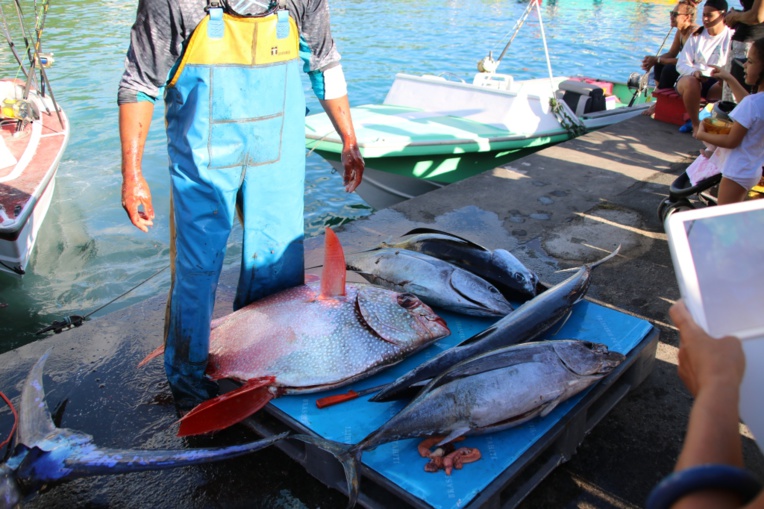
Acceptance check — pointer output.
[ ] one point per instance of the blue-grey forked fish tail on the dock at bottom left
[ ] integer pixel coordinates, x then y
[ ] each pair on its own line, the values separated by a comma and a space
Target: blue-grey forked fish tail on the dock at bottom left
46, 454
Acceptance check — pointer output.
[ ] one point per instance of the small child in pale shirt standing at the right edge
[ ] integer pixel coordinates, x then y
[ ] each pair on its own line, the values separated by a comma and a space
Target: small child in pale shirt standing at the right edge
742, 149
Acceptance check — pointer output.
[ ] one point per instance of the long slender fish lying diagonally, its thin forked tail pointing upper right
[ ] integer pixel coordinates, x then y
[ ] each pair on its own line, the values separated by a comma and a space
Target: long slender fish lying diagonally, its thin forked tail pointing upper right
528, 322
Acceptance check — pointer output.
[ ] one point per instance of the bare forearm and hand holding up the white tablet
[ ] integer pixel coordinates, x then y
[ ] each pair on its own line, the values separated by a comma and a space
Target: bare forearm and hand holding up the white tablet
712, 369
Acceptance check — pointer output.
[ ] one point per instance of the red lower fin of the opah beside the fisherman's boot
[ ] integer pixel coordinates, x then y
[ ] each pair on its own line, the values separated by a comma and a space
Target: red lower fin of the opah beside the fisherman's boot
227, 409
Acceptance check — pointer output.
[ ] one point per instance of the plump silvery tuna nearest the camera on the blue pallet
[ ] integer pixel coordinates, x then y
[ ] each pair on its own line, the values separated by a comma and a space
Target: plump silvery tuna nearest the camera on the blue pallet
492, 392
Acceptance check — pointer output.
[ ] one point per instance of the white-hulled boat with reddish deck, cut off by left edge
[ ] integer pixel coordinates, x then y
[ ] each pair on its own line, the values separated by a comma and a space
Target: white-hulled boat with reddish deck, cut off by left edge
33, 135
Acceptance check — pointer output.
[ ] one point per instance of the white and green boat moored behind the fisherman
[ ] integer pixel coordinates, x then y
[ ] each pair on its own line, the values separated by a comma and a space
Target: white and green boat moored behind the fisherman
431, 131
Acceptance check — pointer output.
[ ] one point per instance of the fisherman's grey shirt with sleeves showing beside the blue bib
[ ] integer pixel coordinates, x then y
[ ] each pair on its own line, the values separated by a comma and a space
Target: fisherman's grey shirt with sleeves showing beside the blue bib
163, 26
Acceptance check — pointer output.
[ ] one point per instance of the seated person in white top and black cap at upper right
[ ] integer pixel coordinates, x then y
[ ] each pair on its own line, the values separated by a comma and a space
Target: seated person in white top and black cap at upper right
709, 45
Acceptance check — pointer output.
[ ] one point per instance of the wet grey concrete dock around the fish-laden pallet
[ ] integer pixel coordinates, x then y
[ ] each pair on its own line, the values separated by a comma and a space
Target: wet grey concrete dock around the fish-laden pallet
554, 210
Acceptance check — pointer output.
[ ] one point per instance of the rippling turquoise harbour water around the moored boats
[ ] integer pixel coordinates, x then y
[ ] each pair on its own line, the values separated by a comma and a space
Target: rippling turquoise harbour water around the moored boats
88, 253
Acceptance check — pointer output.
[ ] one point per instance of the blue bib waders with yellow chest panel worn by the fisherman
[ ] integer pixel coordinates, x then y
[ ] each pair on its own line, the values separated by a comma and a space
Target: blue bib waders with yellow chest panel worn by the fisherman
235, 114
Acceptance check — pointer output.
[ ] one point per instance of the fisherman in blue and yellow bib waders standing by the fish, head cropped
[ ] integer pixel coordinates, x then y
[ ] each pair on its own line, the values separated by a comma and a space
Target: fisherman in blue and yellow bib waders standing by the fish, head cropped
234, 116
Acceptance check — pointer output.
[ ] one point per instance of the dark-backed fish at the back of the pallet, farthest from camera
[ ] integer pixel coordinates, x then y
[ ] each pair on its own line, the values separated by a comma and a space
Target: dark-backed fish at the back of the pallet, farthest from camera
499, 267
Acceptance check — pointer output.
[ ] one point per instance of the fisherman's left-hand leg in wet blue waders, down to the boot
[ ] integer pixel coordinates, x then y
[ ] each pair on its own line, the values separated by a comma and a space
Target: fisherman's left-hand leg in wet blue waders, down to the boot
201, 217
